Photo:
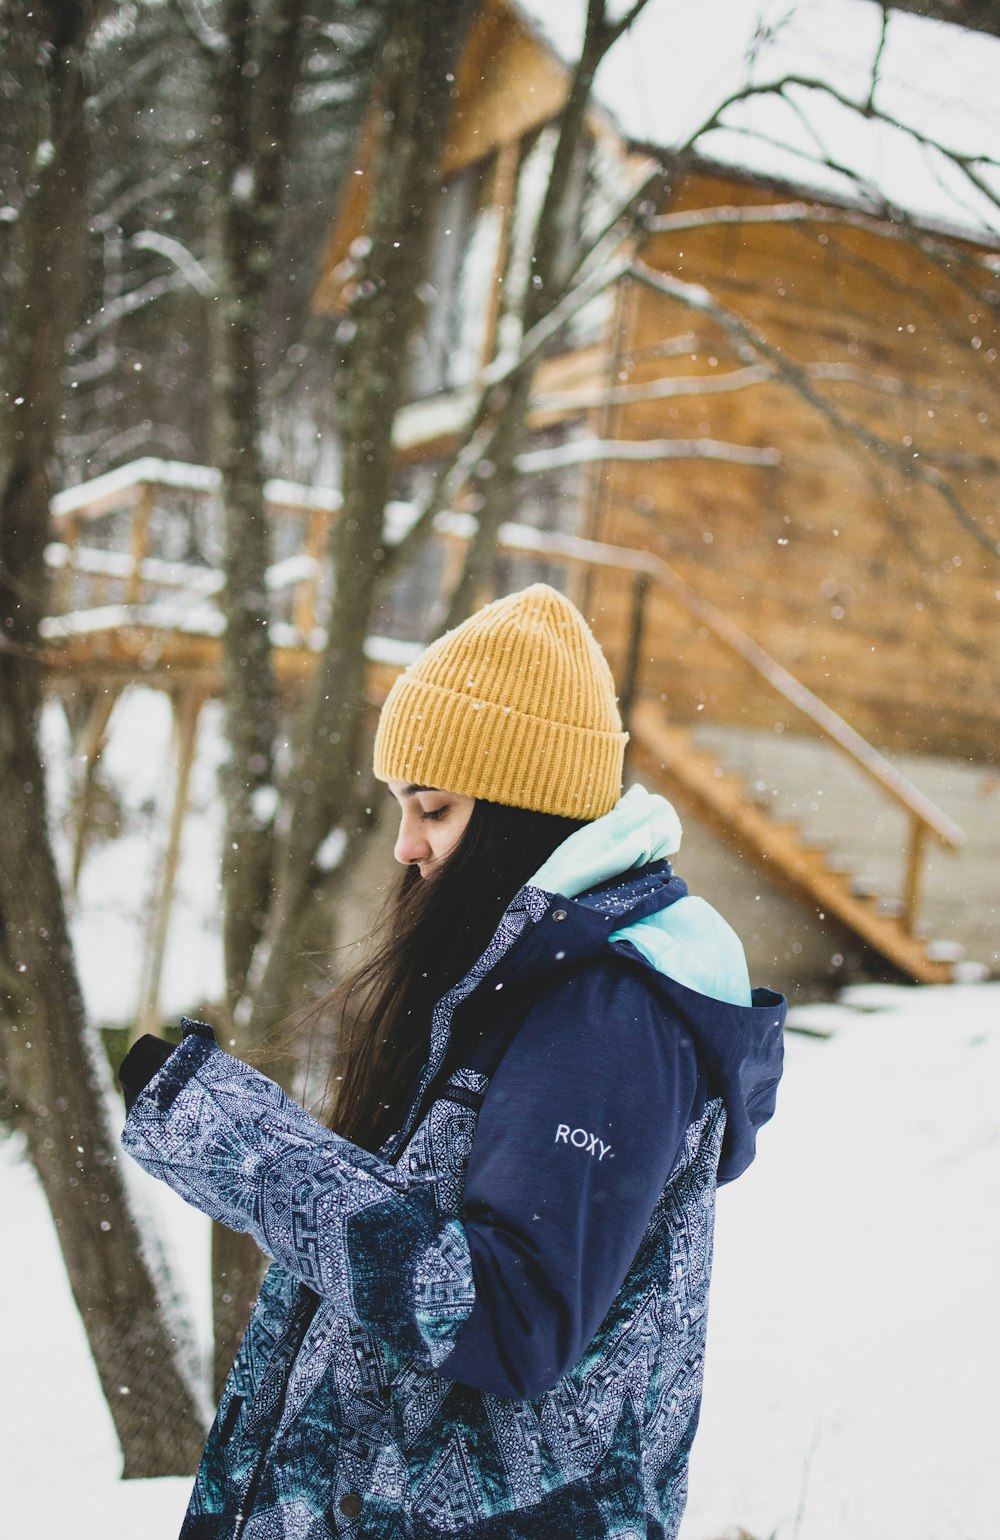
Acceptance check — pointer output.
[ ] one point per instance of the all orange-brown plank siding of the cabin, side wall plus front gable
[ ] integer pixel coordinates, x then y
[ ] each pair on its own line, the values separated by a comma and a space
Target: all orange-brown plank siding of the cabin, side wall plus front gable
857, 578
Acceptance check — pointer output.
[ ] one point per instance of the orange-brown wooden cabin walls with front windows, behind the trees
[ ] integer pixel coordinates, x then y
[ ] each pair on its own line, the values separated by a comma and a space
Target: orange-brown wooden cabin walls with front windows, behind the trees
816, 511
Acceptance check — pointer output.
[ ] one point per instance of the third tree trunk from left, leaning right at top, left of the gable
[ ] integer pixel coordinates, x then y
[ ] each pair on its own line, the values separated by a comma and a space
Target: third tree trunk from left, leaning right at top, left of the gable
417, 90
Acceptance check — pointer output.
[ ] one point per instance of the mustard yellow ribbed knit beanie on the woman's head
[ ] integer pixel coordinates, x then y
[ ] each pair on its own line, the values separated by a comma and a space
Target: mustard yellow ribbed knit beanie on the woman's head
515, 706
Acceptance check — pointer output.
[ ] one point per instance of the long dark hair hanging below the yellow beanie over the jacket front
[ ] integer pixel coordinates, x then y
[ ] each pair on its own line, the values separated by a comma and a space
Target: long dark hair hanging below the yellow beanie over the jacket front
432, 934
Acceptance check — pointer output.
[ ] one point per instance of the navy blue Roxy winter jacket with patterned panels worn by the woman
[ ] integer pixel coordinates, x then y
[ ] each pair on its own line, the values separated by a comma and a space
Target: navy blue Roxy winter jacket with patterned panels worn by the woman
497, 1325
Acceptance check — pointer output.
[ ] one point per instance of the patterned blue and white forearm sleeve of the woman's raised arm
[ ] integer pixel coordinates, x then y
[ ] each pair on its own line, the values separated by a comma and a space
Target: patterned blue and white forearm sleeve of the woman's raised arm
354, 1228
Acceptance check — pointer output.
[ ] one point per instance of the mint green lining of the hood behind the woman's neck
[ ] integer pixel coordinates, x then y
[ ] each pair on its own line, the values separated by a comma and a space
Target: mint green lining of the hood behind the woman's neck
690, 942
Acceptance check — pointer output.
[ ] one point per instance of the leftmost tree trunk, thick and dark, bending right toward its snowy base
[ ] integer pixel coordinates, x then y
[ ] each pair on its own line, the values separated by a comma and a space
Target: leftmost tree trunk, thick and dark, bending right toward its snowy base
56, 1073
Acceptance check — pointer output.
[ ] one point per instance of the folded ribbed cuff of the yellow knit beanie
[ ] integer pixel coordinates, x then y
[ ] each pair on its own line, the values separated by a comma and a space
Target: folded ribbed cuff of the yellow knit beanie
437, 737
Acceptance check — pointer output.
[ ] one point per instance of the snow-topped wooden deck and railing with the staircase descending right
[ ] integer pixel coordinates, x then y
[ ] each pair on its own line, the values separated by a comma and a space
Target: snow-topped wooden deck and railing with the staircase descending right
126, 614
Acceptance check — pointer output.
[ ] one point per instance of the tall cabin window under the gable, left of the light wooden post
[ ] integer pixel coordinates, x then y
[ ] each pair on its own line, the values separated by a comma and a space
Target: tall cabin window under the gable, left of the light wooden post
449, 349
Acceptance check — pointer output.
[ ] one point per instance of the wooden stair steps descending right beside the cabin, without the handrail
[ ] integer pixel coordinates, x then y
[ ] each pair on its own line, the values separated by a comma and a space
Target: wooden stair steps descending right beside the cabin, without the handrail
694, 777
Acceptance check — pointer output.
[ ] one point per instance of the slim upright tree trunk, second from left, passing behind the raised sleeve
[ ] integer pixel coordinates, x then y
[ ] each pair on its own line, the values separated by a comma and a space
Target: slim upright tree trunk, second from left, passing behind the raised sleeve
253, 93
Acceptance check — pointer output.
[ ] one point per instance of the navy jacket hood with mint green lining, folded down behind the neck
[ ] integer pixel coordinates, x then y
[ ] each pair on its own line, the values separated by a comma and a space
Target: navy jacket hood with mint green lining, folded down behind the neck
617, 869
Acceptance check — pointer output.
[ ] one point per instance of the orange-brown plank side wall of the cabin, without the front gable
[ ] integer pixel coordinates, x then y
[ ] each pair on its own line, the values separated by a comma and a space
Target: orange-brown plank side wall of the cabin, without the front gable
861, 581
